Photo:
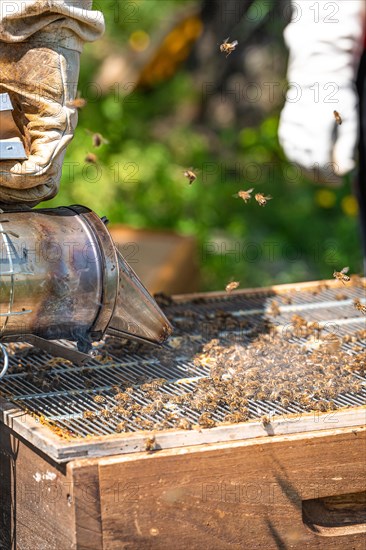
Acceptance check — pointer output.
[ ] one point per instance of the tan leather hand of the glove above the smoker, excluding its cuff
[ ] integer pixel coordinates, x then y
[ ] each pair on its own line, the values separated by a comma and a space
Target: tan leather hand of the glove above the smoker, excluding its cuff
41, 82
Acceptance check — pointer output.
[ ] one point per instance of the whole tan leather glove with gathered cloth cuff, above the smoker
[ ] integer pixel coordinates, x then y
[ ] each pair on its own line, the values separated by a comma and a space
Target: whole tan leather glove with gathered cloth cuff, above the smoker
40, 45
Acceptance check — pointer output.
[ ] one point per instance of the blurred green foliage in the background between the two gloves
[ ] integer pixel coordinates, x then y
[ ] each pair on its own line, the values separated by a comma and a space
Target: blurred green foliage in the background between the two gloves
302, 234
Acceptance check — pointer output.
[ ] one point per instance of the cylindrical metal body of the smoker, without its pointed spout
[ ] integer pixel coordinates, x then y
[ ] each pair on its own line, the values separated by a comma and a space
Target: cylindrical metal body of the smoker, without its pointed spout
53, 271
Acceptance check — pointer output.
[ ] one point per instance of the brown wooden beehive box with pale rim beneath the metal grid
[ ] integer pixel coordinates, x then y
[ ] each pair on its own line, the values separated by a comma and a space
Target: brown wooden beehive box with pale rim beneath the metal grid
297, 482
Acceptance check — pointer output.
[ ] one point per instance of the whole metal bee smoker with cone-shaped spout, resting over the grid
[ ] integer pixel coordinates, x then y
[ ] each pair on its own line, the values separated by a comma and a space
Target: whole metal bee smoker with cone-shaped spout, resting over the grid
62, 278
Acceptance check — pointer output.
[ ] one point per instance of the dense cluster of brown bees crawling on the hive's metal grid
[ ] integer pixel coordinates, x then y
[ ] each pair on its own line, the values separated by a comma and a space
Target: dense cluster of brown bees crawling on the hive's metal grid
232, 375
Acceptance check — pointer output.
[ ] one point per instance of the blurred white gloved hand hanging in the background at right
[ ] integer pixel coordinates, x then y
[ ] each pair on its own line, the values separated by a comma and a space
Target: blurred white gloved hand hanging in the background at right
325, 43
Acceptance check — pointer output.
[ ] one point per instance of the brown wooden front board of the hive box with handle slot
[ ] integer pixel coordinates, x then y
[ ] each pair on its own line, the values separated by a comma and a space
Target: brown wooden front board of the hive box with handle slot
231, 495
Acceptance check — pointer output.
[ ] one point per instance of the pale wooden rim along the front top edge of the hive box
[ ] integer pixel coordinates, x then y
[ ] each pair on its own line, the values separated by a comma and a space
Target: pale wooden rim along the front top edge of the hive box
63, 450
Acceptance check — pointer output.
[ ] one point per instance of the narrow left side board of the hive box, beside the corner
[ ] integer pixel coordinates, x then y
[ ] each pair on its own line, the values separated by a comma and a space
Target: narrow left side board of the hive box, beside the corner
35, 509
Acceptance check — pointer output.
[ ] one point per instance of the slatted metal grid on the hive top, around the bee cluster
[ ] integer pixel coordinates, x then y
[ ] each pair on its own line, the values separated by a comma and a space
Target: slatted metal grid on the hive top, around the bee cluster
84, 401
